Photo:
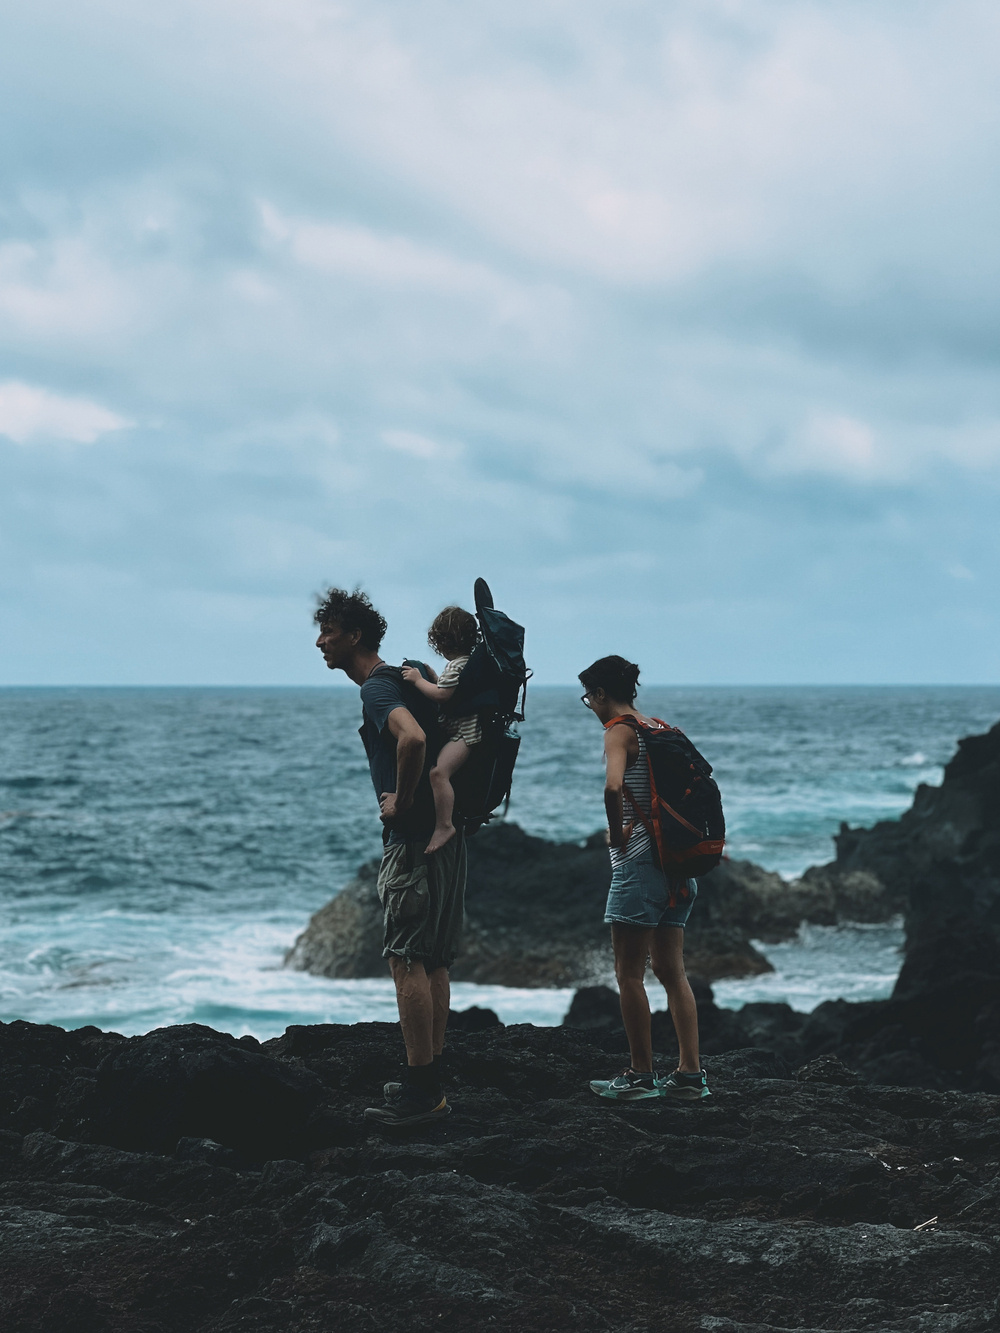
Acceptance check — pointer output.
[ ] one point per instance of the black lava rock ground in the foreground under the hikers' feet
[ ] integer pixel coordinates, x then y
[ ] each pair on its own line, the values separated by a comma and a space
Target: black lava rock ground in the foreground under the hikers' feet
189, 1183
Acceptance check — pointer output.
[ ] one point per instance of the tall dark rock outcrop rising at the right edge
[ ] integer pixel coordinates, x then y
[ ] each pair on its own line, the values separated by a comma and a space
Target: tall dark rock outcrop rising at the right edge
942, 1027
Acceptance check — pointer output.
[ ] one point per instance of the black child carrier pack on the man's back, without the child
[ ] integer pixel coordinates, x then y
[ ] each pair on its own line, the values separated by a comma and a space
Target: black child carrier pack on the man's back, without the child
494, 684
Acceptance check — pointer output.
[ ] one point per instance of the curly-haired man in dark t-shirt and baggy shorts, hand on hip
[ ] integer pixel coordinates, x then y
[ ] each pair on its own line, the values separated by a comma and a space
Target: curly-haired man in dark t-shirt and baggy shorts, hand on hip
422, 894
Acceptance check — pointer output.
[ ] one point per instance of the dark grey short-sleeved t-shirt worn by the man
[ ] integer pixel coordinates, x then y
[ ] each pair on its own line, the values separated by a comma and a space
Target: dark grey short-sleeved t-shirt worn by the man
381, 694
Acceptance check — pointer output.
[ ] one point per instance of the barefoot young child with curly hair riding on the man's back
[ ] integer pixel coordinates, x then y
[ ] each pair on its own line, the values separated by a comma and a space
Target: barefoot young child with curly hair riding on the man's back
454, 637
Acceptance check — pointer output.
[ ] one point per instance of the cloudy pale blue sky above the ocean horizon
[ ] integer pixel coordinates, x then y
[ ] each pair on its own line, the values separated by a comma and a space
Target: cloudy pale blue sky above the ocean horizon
679, 322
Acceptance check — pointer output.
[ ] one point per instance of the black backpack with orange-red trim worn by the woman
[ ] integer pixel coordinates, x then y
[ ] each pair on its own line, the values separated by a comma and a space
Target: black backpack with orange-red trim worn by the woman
687, 827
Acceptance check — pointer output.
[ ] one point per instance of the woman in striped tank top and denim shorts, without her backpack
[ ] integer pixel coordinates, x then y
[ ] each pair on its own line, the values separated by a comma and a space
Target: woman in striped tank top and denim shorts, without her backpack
647, 914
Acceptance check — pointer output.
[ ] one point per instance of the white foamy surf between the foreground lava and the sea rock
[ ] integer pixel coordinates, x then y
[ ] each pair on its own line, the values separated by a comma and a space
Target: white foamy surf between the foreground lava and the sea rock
102, 971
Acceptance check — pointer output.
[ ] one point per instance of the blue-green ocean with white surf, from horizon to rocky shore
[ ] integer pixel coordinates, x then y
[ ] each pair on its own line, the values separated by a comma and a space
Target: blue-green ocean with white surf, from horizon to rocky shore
162, 848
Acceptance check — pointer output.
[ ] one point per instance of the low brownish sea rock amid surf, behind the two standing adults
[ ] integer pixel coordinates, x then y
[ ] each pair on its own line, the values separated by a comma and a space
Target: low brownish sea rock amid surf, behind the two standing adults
535, 915
